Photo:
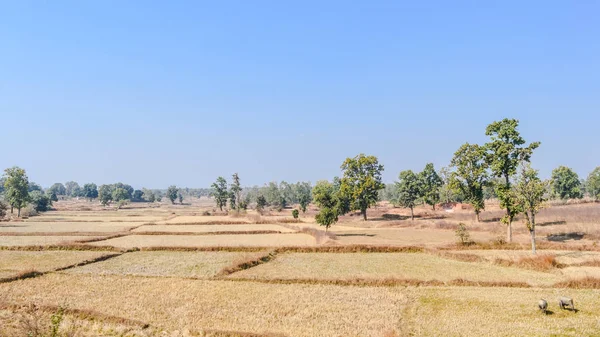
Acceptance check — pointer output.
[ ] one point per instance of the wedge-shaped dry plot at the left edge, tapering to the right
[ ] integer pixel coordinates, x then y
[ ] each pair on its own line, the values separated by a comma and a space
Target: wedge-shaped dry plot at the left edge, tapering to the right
14, 262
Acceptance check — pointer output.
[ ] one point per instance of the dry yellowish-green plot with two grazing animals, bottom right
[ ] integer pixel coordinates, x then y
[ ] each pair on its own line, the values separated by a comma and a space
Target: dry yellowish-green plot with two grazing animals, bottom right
472, 311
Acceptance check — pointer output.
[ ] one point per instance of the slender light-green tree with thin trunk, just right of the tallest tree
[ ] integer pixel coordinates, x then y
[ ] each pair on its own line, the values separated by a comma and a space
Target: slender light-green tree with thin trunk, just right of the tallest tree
530, 191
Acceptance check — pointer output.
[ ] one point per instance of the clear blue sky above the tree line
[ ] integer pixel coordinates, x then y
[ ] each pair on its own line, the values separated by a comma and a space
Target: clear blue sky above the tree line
179, 92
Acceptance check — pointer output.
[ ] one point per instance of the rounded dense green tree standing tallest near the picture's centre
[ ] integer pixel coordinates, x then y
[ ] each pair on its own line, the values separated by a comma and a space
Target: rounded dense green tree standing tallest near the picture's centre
361, 182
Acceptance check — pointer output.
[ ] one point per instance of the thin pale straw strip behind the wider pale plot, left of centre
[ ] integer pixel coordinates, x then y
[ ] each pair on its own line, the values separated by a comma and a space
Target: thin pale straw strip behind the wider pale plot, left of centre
211, 228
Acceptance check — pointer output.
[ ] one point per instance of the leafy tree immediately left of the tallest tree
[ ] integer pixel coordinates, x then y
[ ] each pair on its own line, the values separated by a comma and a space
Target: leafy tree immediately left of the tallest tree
470, 175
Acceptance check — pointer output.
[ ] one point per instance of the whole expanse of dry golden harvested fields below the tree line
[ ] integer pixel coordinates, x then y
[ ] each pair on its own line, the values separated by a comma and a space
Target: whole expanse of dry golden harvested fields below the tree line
169, 270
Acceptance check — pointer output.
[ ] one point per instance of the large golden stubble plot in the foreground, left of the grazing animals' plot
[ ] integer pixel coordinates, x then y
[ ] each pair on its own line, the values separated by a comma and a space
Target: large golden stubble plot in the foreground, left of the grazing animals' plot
171, 303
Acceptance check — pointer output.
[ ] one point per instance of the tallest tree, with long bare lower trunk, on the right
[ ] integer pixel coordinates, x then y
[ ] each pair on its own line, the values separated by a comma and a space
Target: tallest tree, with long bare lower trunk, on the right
504, 153
